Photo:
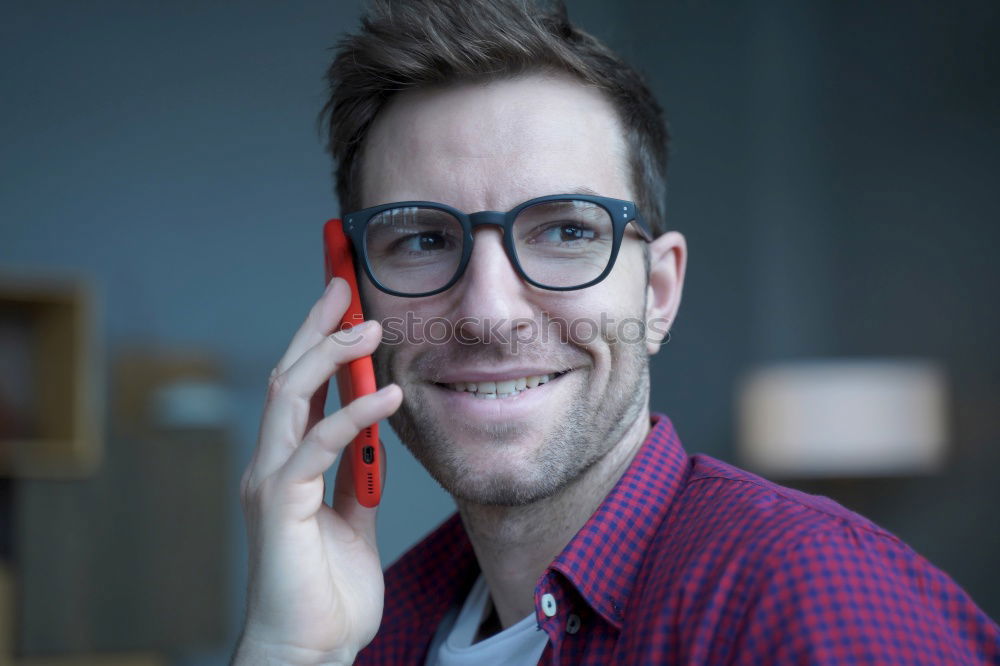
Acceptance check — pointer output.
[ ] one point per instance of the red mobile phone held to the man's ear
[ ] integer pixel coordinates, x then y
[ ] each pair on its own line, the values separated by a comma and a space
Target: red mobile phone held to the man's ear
358, 377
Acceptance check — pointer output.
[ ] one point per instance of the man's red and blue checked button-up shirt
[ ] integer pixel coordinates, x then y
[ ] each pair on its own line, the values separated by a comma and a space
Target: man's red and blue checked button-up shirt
692, 561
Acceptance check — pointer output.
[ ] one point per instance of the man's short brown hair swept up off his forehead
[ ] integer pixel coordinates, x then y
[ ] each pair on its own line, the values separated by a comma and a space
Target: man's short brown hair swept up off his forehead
407, 44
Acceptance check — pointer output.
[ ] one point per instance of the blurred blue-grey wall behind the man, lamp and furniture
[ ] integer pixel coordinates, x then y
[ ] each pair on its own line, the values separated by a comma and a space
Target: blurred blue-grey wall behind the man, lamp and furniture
834, 169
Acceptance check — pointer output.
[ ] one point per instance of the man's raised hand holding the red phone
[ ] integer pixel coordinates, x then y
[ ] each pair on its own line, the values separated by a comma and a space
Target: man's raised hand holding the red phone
315, 589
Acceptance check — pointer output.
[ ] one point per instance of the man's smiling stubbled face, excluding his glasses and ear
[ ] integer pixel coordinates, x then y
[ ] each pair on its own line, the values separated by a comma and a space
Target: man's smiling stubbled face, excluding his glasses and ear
490, 147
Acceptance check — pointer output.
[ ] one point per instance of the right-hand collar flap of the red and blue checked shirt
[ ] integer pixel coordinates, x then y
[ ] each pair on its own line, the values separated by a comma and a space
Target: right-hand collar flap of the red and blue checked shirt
603, 559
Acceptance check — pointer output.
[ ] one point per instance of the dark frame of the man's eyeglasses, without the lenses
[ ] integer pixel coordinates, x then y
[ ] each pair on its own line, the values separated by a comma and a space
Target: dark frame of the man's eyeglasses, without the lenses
620, 211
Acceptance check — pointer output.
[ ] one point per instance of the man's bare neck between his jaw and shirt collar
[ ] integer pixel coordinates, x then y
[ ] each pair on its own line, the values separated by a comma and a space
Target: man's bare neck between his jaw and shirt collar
514, 545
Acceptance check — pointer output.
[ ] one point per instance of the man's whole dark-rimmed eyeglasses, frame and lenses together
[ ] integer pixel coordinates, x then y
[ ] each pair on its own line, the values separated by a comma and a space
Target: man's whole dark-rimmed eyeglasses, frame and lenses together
559, 242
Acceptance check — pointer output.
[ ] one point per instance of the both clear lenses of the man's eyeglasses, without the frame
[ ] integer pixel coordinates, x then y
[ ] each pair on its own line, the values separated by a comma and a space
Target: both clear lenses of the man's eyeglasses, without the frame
414, 250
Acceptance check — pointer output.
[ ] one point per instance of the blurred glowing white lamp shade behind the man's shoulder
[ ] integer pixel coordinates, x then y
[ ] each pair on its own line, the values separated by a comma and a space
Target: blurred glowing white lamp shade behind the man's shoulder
843, 418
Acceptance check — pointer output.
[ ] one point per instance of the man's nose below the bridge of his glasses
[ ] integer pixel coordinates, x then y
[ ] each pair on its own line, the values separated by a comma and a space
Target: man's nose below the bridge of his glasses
492, 297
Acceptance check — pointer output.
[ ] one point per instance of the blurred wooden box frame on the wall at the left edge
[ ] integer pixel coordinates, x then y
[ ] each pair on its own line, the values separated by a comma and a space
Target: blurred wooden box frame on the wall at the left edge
50, 393
